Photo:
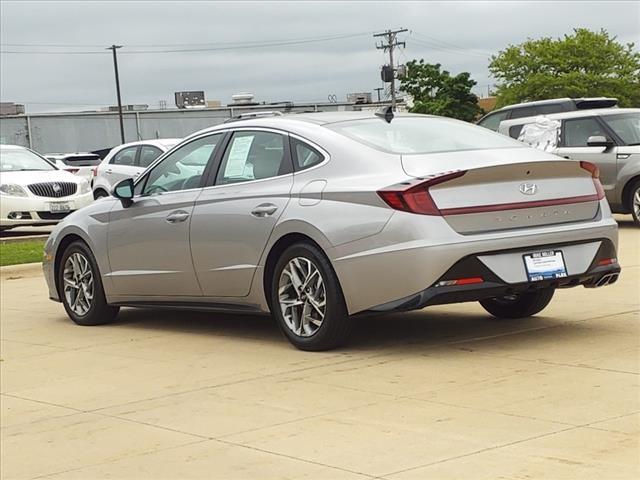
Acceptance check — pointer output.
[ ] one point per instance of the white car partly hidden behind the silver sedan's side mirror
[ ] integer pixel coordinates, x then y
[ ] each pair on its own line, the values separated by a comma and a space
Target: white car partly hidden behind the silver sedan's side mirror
127, 161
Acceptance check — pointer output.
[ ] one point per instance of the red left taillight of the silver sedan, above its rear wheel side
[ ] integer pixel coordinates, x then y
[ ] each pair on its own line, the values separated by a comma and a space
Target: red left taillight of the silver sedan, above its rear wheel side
416, 198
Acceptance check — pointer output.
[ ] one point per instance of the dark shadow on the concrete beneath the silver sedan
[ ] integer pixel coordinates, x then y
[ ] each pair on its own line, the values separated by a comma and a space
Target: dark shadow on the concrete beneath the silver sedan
418, 329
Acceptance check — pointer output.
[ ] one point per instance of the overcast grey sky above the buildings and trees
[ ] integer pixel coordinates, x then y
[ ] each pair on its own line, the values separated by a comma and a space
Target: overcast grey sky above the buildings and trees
300, 51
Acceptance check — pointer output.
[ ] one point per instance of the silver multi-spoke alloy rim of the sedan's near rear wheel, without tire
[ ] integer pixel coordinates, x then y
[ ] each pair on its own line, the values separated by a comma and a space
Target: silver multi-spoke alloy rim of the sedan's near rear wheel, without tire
302, 296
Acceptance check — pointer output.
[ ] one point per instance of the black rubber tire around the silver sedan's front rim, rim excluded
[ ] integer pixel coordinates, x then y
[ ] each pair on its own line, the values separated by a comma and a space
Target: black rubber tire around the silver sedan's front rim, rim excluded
99, 312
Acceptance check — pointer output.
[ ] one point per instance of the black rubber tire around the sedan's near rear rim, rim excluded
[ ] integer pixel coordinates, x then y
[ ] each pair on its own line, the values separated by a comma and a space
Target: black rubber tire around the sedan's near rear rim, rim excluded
336, 324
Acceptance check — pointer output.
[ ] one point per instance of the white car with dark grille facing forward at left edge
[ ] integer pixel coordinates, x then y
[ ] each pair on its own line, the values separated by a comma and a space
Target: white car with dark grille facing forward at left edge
35, 192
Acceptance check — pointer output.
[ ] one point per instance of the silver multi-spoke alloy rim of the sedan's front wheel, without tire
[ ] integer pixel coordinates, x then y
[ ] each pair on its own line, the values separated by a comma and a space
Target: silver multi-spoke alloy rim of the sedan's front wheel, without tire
78, 283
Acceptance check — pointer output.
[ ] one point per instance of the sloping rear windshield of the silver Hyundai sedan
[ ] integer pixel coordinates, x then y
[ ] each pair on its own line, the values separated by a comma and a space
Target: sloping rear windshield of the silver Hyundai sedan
407, 135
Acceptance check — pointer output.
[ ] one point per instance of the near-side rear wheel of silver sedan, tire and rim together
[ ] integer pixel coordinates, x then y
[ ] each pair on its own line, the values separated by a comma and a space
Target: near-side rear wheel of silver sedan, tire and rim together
307, 300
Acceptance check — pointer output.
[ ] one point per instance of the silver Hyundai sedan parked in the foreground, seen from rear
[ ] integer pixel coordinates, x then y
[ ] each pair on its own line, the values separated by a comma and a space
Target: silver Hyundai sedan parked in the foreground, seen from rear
317, 218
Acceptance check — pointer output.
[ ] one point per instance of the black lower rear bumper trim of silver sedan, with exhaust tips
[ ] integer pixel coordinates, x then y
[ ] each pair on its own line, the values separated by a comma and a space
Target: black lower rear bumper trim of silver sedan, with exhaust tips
597, 275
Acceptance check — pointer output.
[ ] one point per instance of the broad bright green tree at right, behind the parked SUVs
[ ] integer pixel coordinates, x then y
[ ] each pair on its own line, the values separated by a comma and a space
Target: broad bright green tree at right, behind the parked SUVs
584, 64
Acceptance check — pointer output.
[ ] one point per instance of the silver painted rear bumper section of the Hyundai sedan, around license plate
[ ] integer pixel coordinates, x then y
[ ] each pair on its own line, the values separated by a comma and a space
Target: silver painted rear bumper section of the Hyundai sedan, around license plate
414, 251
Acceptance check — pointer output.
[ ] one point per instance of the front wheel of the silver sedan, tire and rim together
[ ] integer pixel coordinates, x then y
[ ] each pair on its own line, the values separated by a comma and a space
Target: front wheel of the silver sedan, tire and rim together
81, 287
